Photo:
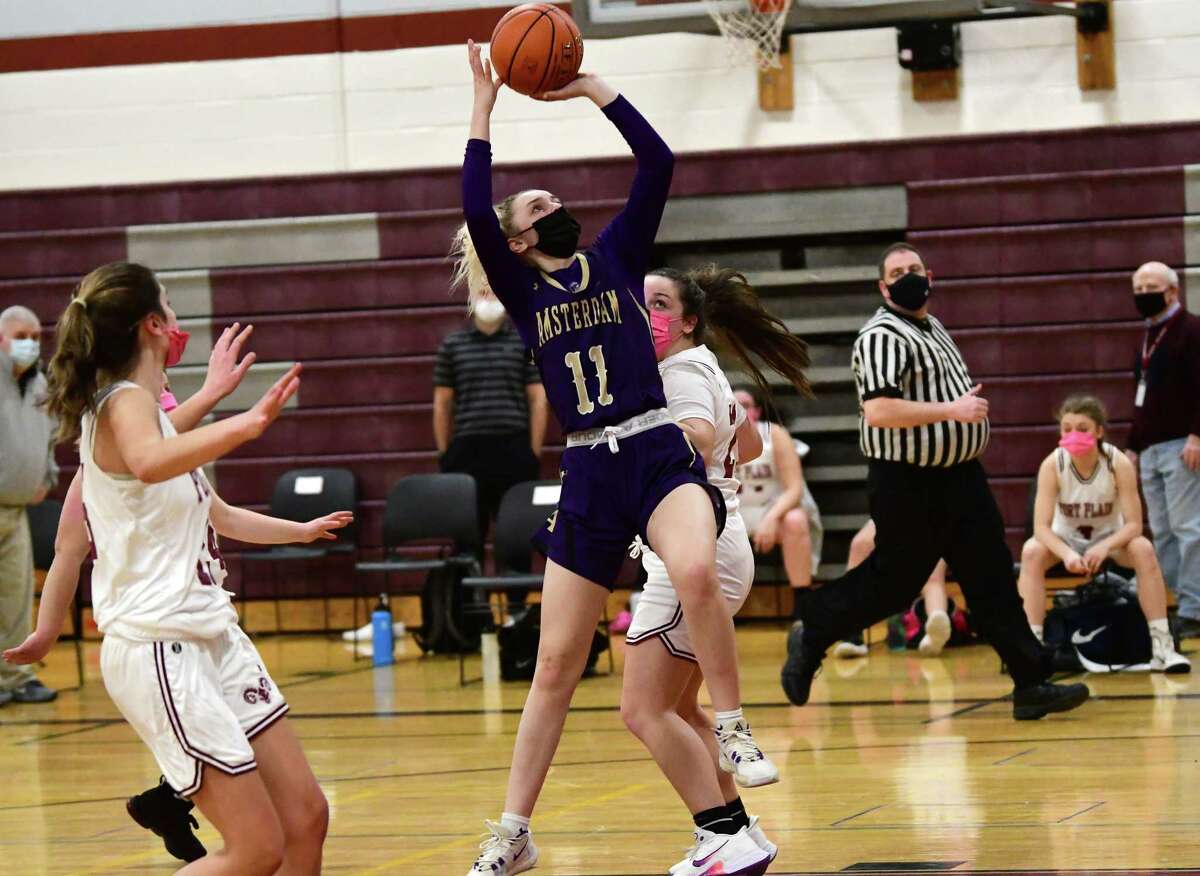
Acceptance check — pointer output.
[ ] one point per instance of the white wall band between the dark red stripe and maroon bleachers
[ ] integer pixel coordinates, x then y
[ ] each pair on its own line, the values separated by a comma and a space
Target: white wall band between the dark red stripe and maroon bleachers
410, 109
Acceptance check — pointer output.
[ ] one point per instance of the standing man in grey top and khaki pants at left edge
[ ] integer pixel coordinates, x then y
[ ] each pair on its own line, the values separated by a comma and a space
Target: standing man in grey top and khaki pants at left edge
28, 473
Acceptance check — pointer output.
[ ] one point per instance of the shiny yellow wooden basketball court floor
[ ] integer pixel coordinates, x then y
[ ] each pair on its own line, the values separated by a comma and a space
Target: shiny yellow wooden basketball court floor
899, 765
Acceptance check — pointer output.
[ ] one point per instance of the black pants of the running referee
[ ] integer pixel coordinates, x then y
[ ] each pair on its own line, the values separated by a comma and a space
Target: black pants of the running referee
922, 515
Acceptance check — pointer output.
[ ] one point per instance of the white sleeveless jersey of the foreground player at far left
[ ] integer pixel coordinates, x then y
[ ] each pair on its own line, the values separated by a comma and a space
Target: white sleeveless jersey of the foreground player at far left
158, 569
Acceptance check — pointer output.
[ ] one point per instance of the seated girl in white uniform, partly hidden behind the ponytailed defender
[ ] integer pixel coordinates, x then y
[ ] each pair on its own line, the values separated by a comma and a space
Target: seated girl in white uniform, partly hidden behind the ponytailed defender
777, 505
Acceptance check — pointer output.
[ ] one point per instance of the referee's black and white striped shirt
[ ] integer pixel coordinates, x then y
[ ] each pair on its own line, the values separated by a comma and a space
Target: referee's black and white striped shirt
899, 357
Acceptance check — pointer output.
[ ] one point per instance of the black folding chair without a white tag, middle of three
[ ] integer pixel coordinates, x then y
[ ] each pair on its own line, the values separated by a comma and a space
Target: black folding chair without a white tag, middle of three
425, 508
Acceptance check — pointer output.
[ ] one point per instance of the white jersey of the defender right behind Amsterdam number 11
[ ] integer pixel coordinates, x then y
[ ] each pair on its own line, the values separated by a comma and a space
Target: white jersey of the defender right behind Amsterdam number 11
698, 389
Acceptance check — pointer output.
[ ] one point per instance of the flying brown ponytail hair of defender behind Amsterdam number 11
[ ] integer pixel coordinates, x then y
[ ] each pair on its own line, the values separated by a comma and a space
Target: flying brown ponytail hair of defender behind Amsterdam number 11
725, 304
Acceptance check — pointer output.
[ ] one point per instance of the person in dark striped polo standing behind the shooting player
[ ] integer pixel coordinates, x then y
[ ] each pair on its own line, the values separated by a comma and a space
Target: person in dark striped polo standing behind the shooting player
489, 406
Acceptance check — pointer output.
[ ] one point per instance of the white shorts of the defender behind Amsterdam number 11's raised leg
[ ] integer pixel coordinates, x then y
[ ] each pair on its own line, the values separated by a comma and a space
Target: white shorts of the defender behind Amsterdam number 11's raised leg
659, 614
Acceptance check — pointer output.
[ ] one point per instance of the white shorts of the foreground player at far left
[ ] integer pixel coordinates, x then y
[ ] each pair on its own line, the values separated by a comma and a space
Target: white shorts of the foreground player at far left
194, 703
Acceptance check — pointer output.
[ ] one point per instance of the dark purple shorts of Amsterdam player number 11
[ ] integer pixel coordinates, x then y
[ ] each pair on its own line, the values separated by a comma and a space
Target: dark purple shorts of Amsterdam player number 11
608, 500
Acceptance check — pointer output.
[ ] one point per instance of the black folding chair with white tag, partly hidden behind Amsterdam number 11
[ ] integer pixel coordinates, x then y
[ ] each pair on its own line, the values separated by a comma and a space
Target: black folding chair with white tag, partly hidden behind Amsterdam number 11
524, 512
